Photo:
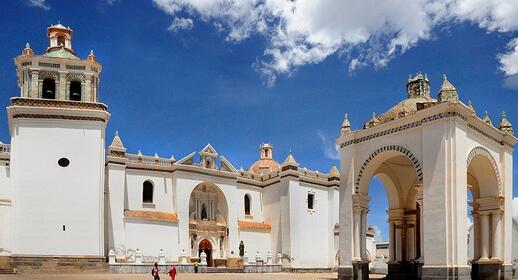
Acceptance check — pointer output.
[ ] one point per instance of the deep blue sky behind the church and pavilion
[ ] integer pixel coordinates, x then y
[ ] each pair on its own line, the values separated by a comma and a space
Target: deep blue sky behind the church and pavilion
178, 77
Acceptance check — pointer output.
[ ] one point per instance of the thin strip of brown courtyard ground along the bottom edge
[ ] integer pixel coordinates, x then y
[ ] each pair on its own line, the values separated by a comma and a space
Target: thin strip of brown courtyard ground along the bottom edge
207, 276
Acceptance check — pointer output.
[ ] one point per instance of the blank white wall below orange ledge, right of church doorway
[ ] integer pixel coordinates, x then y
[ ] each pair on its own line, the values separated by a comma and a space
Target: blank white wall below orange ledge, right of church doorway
255, 241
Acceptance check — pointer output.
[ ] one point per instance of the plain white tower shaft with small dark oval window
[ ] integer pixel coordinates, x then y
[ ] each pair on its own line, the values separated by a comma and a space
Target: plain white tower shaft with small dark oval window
48, 196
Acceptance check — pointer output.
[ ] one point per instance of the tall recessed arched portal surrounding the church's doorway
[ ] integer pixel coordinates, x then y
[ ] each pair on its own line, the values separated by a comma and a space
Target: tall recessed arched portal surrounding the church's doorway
208, 215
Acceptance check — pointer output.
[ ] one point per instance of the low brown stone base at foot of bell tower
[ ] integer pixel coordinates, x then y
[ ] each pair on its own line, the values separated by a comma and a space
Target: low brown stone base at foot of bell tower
51, 264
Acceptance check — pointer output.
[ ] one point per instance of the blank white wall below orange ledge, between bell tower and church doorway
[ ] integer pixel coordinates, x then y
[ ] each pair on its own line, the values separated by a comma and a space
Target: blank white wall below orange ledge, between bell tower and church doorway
151, 236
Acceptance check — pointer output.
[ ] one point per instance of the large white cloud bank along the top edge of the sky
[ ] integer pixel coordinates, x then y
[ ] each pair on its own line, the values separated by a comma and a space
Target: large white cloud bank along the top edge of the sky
364, 33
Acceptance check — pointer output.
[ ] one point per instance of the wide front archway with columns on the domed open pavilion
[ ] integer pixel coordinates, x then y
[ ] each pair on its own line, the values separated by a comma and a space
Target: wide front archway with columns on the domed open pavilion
400, 174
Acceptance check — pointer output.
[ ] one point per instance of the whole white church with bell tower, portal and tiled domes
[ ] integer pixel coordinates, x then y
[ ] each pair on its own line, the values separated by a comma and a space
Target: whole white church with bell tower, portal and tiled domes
64, 192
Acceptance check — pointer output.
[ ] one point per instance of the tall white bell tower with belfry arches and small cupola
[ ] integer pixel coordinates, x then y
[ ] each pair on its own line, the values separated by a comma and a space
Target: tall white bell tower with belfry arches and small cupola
57, 127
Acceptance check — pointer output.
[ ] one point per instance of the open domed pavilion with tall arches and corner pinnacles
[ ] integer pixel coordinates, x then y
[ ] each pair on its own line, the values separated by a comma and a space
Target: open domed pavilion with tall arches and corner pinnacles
429, 153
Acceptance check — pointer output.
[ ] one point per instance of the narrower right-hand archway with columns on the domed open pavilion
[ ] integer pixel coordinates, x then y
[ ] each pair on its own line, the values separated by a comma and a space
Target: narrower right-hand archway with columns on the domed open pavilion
487, 208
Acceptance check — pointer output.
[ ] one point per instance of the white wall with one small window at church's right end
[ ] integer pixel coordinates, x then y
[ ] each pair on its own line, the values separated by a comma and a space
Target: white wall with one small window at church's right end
309, 228
